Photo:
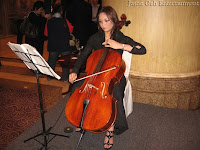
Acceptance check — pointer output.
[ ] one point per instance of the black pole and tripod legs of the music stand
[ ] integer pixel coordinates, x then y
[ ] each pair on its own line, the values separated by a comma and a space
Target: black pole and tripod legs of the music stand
44, 132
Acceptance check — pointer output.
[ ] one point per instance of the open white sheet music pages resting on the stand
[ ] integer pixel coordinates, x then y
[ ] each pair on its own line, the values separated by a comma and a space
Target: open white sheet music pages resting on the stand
32, 58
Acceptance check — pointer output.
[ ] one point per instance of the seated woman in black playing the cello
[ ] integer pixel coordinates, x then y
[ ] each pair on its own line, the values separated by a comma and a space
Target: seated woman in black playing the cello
109, 36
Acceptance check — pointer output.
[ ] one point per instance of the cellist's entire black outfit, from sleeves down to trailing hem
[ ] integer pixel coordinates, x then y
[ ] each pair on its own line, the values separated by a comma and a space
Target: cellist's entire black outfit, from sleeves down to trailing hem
95, 43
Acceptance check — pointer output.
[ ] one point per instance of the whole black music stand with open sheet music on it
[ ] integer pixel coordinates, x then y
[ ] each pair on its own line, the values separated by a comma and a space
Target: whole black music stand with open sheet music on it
34, 61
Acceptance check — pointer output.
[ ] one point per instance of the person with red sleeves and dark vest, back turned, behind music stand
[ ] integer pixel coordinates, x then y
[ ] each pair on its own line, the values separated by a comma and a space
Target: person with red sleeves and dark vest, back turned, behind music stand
58, 31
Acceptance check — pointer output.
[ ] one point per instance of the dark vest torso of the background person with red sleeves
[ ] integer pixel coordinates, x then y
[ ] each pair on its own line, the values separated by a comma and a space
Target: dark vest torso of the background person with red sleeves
58, 35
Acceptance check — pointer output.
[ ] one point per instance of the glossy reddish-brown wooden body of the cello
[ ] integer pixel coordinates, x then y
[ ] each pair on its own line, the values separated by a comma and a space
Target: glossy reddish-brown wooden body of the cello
92, 106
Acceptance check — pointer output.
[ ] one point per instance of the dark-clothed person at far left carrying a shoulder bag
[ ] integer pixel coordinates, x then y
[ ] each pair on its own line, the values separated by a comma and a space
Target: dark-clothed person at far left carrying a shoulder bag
36, 17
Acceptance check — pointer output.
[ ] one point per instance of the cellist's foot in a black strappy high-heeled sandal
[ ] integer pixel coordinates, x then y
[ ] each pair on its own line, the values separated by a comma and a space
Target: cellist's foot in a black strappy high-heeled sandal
108, 141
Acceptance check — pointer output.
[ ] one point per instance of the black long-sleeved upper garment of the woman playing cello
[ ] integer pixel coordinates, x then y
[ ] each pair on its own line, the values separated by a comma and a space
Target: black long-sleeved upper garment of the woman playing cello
95, 43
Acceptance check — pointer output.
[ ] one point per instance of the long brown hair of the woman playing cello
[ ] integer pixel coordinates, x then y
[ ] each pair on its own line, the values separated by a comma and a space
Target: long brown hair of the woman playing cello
112, 15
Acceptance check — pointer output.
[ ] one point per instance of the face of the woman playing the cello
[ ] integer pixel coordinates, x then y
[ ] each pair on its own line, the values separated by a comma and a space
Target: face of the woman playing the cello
105, 23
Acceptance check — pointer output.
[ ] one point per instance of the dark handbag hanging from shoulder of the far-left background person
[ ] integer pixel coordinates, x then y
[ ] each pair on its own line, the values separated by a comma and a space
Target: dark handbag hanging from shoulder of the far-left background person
29, 29
